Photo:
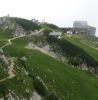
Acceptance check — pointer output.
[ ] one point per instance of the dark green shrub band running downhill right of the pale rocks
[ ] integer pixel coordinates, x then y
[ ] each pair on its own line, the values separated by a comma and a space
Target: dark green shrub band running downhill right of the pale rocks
69, 50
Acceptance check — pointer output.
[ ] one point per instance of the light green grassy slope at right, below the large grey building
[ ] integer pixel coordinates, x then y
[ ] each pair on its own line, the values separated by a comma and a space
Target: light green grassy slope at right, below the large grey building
87, 43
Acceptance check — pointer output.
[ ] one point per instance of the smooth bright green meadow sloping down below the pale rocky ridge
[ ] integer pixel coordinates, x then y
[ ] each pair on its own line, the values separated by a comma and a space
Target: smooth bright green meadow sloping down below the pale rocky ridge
67, 82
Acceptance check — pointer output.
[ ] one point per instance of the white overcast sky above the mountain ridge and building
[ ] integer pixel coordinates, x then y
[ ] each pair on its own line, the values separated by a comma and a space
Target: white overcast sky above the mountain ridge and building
59, 12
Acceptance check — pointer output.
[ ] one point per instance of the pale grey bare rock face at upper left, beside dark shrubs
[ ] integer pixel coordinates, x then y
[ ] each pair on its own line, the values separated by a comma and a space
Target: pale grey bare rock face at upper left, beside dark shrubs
8, 22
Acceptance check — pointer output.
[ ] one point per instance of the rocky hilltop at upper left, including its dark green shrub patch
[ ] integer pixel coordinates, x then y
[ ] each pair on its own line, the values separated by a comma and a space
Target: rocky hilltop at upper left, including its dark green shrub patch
18, 28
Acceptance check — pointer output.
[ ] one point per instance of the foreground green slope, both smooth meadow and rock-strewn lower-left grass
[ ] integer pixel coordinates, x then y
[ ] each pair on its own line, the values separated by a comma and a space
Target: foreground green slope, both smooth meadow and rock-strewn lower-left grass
62, 81
